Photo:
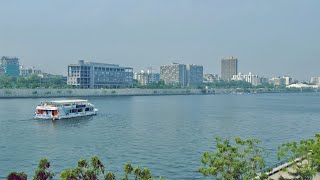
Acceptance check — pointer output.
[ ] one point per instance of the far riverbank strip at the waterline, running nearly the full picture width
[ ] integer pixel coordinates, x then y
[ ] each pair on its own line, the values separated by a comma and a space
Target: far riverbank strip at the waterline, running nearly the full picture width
59, 93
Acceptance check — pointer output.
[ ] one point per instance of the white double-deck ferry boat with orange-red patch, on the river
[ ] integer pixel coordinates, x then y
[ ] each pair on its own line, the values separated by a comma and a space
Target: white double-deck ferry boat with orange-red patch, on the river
62, 109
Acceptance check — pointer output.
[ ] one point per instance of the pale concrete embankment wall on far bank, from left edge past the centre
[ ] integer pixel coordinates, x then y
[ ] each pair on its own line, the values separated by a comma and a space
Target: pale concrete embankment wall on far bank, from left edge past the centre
34, 93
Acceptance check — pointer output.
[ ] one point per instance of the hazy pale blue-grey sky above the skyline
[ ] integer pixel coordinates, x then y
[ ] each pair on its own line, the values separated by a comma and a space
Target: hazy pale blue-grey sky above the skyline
271, 37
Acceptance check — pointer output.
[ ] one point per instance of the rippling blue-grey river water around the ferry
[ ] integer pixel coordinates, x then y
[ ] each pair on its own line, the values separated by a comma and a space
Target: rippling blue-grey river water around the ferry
167, 134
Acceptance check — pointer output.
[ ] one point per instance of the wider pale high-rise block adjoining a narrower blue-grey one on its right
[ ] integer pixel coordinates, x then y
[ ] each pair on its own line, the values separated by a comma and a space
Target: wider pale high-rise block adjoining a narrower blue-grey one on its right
174, 74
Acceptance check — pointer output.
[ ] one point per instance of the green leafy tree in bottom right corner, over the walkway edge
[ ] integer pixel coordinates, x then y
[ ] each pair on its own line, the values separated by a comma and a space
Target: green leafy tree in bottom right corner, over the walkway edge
308, 154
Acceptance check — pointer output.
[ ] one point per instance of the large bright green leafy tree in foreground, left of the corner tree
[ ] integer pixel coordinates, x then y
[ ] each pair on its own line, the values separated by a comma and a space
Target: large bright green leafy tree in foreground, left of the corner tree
243, 160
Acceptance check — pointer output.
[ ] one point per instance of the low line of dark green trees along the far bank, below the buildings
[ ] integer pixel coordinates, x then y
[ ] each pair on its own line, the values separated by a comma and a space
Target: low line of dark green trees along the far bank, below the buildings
55, 81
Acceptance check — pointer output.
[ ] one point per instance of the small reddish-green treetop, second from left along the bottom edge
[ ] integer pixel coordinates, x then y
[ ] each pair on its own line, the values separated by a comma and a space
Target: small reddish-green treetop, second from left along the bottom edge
43, 172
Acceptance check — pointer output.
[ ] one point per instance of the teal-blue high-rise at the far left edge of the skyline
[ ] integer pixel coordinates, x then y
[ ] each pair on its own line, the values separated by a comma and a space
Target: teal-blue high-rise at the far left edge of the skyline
10, 66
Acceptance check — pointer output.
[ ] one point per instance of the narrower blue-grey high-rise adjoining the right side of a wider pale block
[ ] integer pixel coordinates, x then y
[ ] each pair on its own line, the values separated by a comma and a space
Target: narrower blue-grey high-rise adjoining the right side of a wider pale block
194, 75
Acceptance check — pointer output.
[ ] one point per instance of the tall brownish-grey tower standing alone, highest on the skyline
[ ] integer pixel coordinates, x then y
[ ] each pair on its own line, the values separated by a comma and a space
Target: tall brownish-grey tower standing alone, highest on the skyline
229, 67
